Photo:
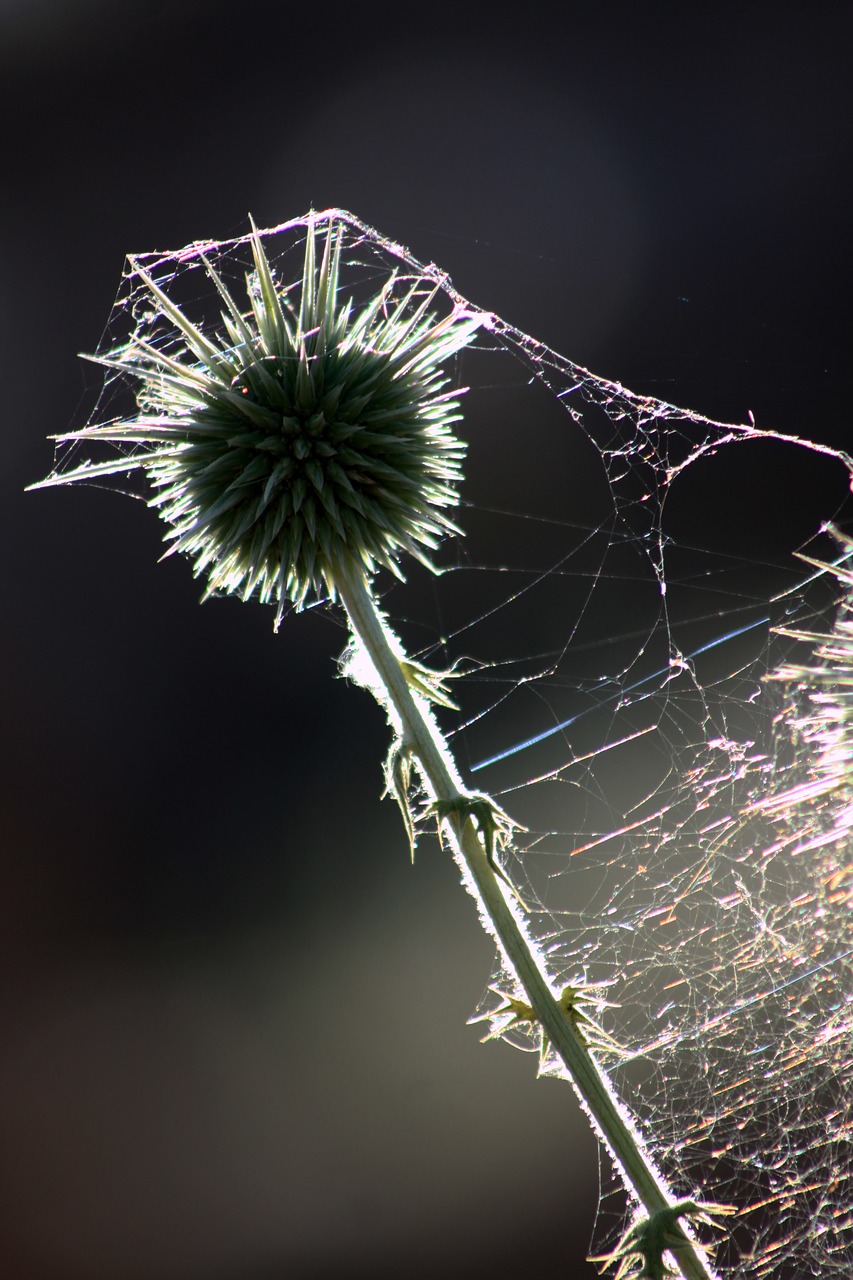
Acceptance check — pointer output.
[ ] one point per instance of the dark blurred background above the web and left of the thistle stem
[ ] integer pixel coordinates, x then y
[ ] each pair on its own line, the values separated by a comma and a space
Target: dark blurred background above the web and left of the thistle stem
234, 1017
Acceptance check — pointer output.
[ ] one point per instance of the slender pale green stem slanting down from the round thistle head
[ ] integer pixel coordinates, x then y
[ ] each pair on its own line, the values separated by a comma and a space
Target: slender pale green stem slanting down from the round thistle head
436, 765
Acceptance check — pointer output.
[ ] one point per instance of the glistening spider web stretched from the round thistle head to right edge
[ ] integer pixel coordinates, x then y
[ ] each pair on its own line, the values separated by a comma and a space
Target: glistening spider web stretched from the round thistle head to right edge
633, 637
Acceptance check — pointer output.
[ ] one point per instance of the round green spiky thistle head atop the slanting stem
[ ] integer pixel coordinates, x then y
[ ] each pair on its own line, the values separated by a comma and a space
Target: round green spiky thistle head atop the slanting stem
303, 435
